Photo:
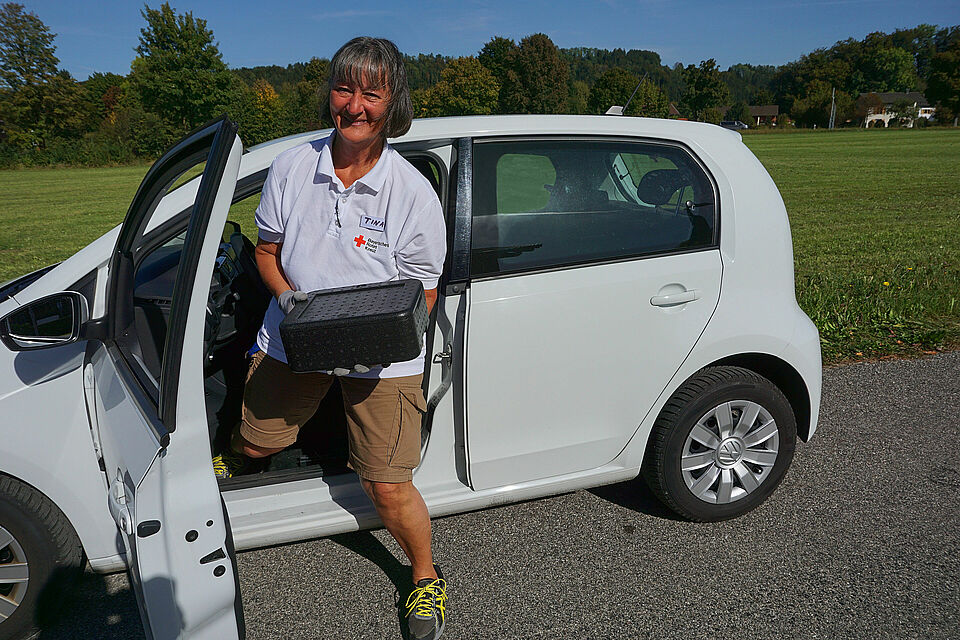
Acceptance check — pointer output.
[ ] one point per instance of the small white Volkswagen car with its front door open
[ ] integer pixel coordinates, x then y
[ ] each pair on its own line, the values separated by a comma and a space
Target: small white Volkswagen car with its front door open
618, 299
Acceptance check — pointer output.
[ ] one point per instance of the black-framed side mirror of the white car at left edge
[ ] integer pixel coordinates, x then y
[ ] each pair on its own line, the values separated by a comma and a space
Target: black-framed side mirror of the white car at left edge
47, 322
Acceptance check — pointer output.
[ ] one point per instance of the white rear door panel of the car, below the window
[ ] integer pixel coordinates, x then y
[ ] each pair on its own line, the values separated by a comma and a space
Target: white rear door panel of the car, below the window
562, 365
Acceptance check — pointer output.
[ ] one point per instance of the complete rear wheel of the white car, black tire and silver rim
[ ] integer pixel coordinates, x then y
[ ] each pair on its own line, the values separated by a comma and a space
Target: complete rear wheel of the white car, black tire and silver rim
721, 444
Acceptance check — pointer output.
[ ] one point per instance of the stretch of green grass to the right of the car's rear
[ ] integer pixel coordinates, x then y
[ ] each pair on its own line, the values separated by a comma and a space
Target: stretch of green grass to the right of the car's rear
876, 231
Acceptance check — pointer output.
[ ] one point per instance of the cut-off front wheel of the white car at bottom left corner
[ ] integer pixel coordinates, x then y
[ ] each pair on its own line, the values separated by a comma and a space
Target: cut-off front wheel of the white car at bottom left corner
34, 532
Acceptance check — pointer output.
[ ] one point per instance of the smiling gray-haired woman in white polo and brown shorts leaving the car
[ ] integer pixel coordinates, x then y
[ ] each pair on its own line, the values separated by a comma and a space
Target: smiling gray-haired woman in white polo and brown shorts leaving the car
337, 212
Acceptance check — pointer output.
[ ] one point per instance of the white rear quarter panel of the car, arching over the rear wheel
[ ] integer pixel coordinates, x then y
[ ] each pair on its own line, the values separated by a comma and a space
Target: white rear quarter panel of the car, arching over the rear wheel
757, 252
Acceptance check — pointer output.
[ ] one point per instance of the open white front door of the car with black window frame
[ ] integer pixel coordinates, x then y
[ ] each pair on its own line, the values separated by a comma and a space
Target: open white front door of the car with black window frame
149, 420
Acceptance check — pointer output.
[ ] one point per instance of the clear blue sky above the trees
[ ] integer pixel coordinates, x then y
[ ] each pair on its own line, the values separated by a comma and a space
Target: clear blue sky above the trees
101, 35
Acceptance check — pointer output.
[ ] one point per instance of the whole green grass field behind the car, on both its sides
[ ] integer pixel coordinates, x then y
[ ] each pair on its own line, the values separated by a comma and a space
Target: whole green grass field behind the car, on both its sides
875, 218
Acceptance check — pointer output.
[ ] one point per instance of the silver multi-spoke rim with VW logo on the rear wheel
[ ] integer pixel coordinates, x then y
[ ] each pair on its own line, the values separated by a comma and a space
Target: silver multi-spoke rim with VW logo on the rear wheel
730, 452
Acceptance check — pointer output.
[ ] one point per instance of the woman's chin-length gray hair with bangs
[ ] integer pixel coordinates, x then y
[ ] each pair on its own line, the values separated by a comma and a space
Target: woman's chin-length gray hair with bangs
379, 62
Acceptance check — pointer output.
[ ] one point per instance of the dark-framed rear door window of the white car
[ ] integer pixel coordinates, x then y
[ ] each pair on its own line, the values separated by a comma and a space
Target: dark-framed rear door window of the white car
552, 203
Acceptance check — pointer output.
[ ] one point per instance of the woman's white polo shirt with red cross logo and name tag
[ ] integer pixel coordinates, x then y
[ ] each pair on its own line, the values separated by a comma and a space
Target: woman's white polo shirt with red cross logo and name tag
387, 225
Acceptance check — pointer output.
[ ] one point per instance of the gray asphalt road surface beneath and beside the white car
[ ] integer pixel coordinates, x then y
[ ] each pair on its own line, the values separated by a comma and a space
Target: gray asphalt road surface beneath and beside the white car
862, 540
